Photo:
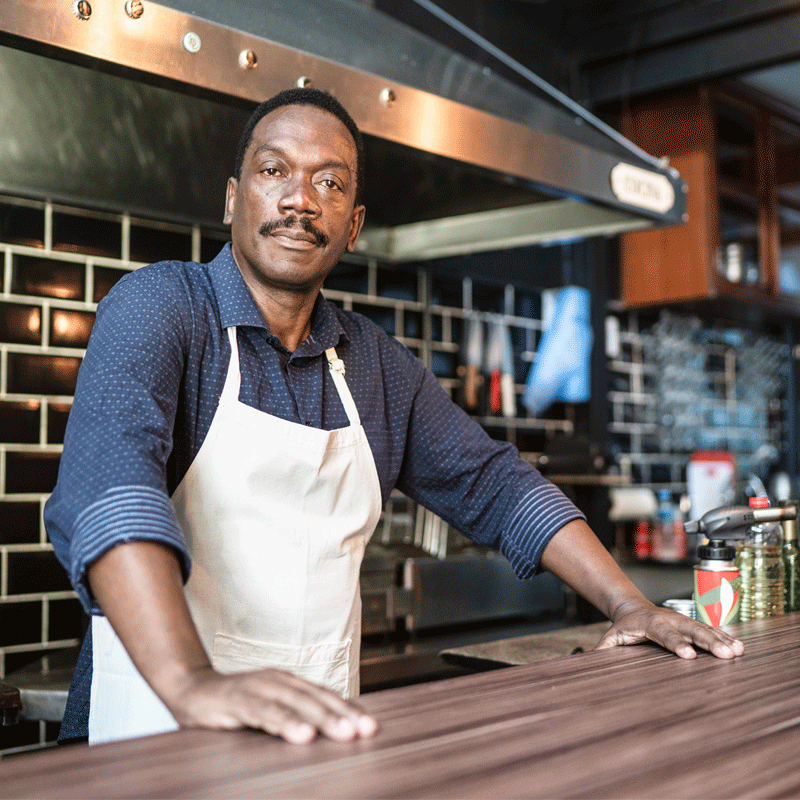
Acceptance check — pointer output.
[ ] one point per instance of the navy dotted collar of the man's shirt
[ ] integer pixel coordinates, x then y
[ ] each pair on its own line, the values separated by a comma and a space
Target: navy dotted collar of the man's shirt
237, 307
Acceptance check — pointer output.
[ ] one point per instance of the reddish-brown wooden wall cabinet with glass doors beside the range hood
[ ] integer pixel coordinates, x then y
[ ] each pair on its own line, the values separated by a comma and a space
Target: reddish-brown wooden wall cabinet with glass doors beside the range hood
741, 162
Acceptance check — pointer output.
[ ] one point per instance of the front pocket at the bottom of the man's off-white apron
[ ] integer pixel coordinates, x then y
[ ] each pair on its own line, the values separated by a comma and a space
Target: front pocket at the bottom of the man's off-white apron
323, 664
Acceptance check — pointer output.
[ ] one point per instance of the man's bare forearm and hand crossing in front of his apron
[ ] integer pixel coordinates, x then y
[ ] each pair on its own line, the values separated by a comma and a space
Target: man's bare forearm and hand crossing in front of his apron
139, 587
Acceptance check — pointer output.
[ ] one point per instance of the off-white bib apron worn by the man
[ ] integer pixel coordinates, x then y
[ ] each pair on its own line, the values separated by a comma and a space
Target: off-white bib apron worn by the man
276, 516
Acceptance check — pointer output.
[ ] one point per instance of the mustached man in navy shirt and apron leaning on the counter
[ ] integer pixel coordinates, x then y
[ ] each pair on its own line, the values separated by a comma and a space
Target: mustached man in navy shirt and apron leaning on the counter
215, 440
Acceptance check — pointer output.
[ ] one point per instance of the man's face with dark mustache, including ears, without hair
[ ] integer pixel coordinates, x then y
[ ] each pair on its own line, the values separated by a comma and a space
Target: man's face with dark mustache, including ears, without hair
292, 212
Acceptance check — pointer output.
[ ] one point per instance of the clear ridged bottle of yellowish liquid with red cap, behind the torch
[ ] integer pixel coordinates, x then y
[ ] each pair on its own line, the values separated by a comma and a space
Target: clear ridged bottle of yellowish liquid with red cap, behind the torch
760, 562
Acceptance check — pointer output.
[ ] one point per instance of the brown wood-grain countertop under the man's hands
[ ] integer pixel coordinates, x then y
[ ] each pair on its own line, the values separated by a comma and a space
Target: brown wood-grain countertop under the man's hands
632, 722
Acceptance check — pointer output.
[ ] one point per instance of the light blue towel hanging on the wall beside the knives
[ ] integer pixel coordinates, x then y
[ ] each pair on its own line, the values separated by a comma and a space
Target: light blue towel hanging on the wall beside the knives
561, 369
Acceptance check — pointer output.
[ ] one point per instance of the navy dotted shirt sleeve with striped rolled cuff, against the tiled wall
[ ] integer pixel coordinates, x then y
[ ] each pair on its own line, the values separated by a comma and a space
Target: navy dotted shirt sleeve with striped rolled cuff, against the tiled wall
112, 481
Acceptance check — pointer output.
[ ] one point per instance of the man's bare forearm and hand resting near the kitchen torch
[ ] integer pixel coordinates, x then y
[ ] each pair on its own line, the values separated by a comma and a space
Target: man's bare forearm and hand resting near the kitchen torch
577, 557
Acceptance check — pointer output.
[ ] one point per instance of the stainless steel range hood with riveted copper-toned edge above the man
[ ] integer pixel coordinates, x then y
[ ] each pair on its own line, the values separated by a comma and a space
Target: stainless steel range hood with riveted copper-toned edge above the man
137, 105
